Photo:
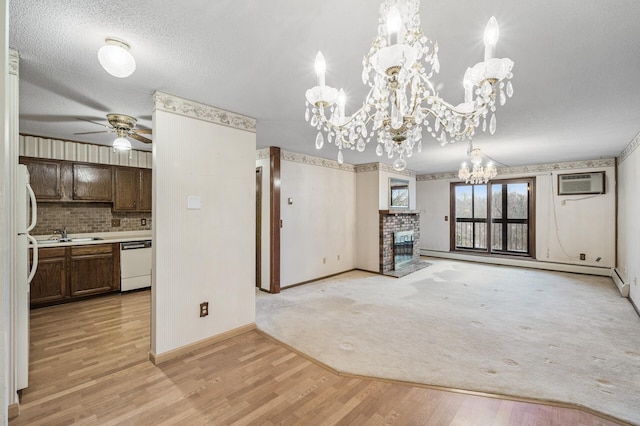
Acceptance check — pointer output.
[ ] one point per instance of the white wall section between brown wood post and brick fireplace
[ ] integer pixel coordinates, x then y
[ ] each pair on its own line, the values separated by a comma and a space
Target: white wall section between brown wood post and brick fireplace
320, 224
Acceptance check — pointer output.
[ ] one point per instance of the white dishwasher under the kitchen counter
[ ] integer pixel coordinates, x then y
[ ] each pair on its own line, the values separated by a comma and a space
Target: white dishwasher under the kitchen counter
135, 265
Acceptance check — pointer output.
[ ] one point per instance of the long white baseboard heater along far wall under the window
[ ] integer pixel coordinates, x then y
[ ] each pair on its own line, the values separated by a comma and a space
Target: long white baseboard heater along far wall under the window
524, 263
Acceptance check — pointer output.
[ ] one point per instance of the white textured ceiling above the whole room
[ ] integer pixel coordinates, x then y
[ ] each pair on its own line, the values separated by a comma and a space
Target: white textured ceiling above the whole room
576, 75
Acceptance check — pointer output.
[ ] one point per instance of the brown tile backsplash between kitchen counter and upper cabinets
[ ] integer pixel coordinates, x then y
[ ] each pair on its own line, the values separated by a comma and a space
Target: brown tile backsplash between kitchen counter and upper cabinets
84, 218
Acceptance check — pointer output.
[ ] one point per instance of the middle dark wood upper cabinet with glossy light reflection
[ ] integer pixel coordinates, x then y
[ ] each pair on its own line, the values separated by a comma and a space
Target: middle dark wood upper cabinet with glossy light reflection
92, 182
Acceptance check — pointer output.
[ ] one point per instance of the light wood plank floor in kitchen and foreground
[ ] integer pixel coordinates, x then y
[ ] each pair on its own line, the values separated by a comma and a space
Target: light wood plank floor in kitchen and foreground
89, 366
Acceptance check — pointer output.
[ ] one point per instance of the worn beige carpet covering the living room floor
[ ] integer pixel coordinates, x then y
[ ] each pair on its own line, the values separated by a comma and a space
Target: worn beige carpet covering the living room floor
512, 331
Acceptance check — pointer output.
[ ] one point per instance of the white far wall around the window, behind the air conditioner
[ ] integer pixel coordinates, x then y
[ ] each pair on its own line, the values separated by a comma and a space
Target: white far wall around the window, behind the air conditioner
583, 224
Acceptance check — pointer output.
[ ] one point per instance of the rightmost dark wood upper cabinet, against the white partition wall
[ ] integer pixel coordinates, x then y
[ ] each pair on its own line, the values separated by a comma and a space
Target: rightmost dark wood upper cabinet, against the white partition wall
132, 189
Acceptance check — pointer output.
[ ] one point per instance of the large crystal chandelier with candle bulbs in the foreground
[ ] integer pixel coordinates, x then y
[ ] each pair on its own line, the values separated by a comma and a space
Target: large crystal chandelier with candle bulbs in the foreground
402, 101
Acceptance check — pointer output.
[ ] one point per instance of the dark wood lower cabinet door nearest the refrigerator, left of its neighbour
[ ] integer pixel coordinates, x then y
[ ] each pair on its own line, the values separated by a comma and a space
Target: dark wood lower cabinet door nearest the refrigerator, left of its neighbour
49, 284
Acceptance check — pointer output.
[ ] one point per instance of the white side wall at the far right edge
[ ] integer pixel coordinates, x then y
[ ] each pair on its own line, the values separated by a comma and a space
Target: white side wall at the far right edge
628, 224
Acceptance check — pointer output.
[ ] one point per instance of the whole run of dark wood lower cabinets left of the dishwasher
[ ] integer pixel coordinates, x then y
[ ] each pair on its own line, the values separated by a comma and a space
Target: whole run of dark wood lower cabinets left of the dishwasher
68, 273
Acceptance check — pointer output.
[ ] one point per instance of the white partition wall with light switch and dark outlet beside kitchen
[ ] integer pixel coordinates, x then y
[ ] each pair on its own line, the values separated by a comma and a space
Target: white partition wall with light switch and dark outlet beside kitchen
205, 254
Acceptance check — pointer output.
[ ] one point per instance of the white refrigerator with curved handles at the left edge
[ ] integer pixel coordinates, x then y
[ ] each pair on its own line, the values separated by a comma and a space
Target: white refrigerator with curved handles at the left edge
26, 215
